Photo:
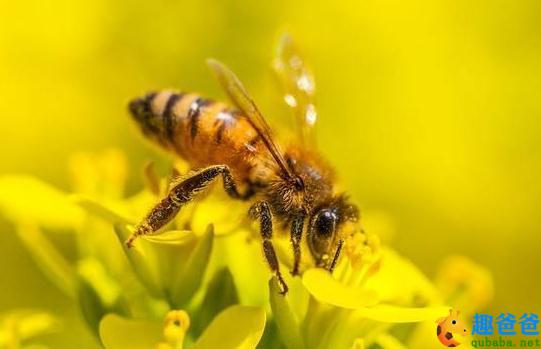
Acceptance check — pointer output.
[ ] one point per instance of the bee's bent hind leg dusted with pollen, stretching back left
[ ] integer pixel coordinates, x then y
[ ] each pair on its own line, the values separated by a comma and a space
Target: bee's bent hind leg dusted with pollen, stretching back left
180, 194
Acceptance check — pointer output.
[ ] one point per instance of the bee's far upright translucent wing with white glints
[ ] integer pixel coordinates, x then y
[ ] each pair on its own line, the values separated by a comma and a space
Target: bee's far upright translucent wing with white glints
298, 86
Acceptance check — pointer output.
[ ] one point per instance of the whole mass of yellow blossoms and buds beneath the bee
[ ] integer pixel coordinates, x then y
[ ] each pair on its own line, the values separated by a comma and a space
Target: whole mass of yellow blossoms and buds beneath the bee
208, 262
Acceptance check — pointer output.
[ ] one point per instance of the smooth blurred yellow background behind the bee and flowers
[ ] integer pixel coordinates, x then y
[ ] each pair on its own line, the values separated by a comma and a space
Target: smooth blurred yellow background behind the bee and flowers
430, 111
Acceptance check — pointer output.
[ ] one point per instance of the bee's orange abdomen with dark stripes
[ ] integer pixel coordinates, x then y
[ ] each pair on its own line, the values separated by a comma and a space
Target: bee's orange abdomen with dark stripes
202, 131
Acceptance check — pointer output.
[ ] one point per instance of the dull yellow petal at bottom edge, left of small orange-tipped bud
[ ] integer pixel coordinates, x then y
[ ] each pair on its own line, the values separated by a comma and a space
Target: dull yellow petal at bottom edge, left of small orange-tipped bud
120, 333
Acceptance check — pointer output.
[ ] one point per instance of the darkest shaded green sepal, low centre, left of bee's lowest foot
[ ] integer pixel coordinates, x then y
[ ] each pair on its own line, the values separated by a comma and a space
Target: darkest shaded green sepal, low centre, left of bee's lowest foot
221, 293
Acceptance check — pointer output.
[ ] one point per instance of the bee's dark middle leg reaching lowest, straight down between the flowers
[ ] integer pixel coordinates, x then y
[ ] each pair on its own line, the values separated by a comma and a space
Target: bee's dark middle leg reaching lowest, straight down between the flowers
262, 211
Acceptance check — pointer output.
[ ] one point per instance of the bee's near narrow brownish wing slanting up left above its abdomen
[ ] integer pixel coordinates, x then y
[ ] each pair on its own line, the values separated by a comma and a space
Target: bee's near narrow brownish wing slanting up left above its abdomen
242, 100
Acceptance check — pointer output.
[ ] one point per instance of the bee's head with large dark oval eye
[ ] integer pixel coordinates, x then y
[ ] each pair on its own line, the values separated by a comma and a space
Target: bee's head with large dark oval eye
324, 228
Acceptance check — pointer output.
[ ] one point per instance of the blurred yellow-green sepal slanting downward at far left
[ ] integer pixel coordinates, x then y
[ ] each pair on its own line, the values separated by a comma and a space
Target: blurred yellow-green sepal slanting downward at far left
48, 259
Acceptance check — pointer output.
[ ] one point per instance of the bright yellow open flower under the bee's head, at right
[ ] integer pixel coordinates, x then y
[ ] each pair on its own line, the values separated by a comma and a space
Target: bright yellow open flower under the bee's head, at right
371, 290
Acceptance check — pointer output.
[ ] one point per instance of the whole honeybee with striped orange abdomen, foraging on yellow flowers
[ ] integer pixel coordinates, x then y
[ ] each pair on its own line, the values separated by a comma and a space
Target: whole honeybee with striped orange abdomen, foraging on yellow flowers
294, 188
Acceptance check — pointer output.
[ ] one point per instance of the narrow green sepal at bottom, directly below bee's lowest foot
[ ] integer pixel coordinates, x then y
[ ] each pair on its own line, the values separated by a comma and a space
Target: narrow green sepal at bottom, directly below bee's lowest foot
287, 322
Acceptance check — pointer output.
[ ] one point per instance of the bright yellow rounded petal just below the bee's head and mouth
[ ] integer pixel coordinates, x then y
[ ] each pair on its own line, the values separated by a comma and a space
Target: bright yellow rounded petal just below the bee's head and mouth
324, 288
